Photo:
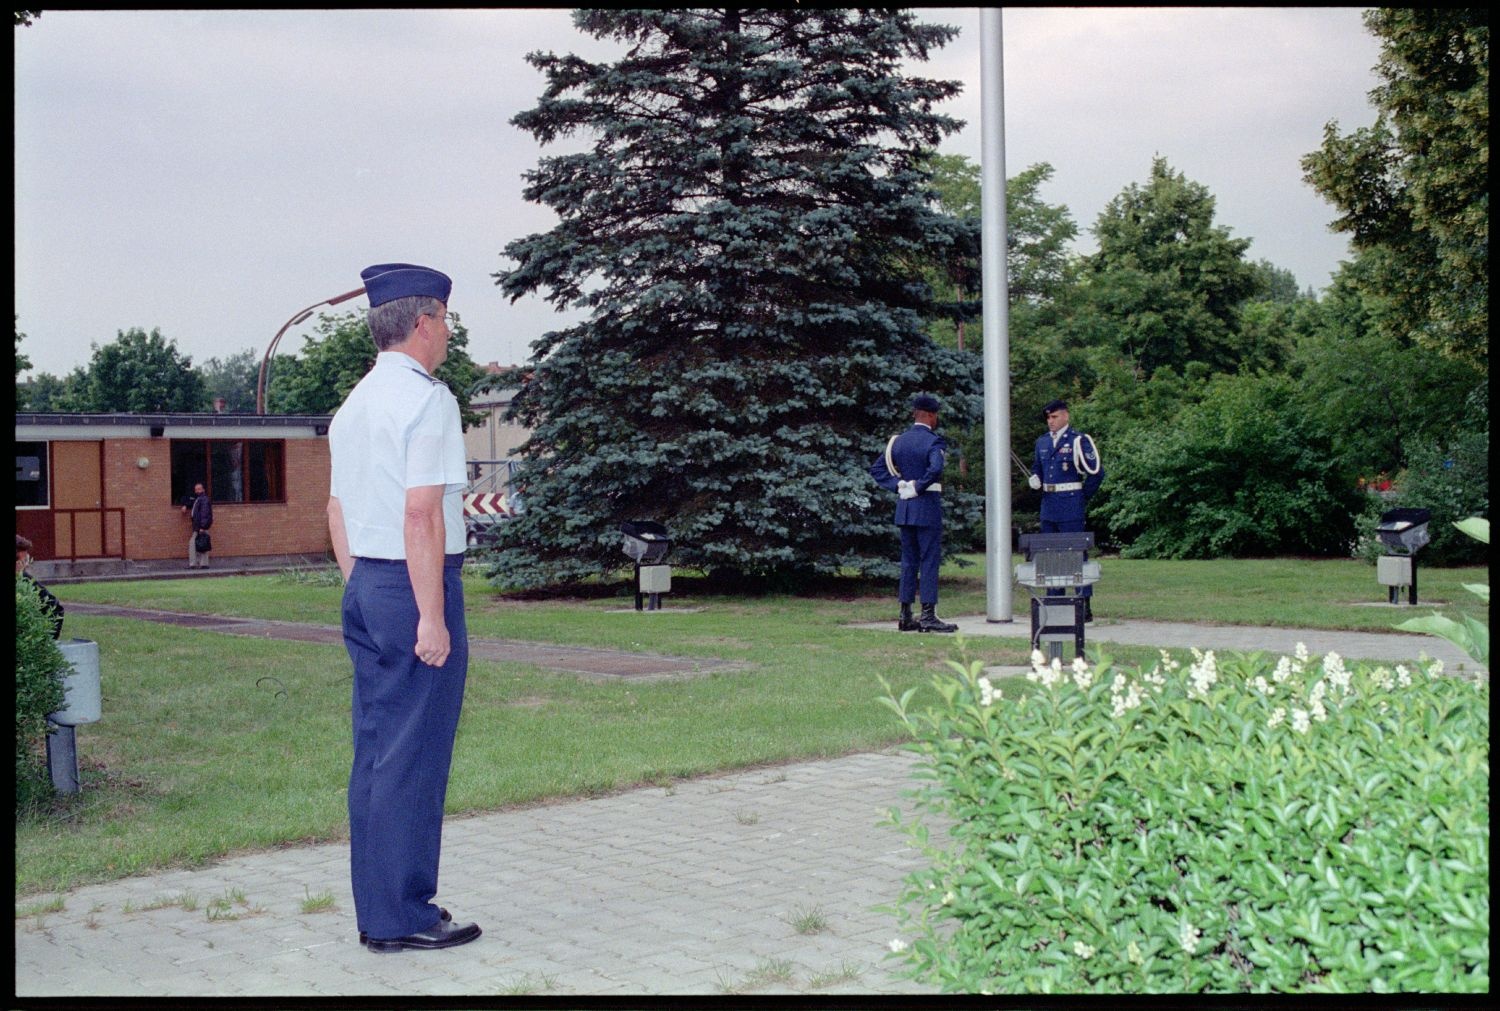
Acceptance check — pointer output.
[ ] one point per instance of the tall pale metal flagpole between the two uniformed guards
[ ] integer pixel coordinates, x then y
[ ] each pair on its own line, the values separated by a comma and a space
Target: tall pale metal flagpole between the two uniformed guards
997, 322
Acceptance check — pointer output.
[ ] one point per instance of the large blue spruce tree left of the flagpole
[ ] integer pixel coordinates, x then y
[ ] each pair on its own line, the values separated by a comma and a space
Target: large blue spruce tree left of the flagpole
748, 233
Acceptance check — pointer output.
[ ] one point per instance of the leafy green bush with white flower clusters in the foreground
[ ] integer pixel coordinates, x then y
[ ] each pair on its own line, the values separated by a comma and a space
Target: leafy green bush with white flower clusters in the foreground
1234, 826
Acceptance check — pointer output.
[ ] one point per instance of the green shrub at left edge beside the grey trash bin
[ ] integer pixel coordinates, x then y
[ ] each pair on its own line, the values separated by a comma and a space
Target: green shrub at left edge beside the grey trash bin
40, 668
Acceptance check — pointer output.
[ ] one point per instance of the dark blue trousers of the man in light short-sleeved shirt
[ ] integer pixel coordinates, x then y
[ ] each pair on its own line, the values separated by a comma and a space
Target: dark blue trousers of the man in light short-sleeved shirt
406, 718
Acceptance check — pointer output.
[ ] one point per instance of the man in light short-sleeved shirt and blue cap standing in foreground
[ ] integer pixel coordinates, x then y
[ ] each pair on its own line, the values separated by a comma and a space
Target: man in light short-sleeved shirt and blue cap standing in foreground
397, 521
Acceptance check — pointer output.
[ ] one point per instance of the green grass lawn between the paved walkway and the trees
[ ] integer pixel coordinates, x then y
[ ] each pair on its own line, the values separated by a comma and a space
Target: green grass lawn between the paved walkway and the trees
214, 745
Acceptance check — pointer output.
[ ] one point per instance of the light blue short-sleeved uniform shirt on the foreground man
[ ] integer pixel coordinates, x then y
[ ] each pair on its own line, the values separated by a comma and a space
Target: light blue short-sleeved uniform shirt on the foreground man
398, 430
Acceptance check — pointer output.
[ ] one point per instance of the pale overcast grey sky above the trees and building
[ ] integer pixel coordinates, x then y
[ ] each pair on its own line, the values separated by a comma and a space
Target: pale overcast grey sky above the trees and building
212, 173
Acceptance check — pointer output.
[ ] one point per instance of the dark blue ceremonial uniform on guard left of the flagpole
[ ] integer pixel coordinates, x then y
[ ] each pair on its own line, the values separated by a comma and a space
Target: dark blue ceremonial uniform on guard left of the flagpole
919, 455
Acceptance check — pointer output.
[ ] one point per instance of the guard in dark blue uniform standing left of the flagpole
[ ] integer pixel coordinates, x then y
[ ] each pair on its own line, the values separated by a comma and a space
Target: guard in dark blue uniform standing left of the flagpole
911, 467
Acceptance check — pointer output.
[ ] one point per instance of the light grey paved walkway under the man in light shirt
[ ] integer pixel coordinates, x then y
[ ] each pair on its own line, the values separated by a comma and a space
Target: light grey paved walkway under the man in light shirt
695, 889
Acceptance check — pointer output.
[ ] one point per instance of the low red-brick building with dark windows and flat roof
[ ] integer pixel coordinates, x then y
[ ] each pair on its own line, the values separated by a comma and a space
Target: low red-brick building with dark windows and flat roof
110, 487
